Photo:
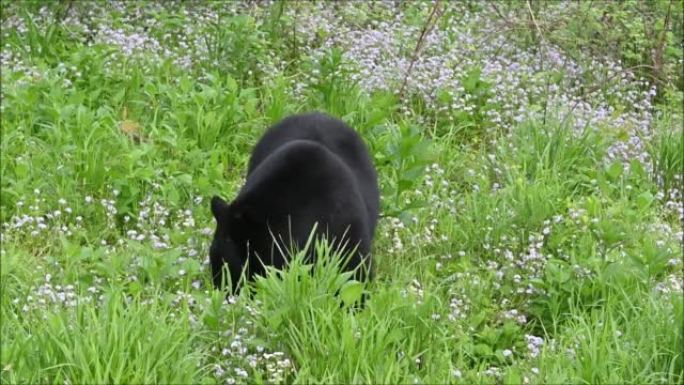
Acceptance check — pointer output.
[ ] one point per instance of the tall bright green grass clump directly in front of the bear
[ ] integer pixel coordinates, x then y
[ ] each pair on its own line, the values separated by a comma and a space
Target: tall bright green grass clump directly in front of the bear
384, 341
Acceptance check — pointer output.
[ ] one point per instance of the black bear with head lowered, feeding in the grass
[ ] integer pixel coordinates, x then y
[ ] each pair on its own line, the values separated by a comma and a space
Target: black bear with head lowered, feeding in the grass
307, 169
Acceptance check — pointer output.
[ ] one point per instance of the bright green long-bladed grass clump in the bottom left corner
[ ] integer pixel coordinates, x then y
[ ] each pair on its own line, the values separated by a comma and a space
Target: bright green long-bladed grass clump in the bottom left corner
120, 341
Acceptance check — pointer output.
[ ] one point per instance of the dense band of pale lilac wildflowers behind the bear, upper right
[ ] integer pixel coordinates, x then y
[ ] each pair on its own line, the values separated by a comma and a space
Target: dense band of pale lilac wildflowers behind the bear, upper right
382, 52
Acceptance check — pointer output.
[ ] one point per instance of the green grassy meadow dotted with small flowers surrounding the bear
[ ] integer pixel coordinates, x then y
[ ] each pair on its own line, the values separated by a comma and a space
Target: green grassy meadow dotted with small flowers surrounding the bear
491, 240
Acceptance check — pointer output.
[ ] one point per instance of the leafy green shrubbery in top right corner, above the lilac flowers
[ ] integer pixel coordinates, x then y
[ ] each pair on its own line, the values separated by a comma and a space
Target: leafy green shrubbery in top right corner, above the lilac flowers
646, 36
